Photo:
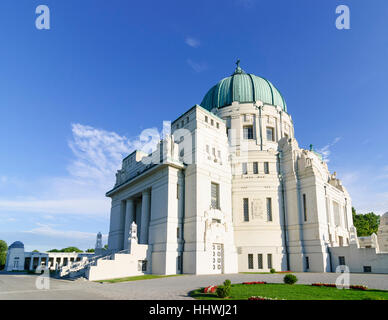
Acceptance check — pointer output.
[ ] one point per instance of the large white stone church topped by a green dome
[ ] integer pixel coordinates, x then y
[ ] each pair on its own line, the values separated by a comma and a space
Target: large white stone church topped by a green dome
230, 190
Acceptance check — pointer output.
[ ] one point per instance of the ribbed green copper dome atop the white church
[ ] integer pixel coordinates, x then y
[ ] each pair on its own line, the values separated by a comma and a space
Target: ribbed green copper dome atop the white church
242, 87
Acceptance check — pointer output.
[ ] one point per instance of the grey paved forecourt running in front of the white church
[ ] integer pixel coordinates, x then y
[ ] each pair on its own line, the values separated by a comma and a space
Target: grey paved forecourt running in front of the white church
22, 286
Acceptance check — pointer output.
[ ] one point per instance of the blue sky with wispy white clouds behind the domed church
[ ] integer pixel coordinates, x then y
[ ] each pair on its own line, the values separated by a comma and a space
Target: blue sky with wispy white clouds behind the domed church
74, 99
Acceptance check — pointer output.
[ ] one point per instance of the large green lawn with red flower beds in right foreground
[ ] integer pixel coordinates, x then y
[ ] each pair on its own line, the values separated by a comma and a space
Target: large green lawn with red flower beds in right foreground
293, 292
